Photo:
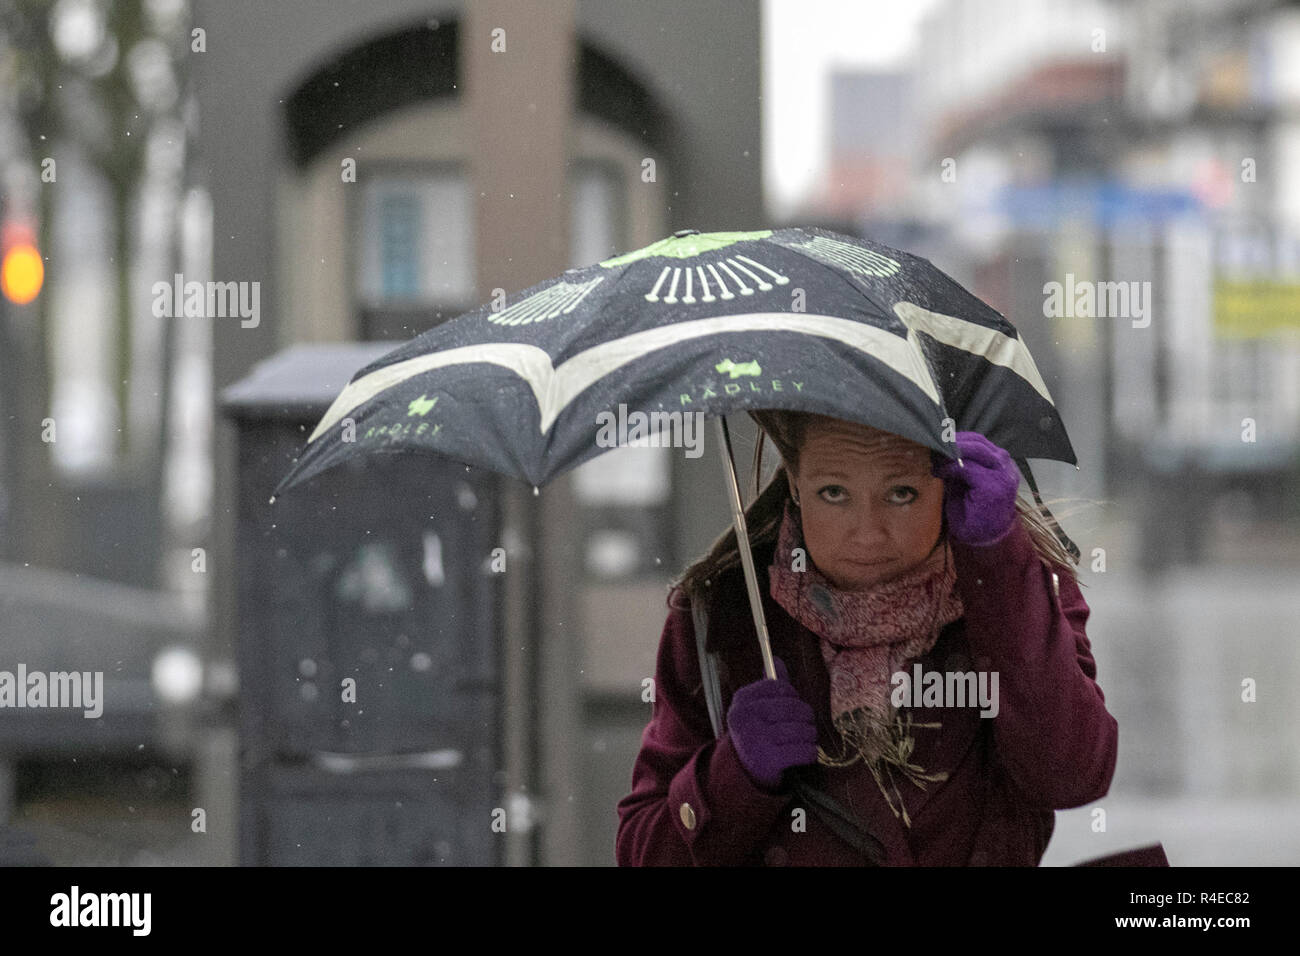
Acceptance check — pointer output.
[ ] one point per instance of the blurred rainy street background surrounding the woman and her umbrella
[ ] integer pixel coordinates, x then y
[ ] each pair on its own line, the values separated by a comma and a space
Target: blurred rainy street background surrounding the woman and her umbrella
370, 171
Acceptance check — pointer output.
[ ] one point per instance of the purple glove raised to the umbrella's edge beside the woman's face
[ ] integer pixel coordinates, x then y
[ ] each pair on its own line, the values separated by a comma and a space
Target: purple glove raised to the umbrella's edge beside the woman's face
980, 500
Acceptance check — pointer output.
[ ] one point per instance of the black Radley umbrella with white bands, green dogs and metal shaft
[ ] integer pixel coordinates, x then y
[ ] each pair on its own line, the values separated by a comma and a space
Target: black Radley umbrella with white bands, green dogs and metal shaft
714, 323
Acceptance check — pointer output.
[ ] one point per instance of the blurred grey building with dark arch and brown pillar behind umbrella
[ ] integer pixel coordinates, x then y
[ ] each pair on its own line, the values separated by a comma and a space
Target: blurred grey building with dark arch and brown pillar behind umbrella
610, 128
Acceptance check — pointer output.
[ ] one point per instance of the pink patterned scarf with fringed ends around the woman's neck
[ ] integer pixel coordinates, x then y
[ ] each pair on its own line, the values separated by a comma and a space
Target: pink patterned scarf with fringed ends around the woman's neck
866, 637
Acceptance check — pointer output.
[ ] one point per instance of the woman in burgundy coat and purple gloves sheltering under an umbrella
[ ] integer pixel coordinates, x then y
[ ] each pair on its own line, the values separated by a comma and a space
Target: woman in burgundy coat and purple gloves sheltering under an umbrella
879, 559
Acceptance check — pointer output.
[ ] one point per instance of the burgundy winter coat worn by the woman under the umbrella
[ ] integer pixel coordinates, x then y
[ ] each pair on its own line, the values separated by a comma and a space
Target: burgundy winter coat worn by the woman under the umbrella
1052, 745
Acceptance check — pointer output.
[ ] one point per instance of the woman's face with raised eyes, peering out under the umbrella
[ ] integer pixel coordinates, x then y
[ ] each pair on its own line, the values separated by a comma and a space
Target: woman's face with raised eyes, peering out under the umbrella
872, 509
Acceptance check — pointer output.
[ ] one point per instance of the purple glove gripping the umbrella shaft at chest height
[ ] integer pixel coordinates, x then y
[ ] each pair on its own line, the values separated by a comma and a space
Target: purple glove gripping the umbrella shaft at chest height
772, 728
